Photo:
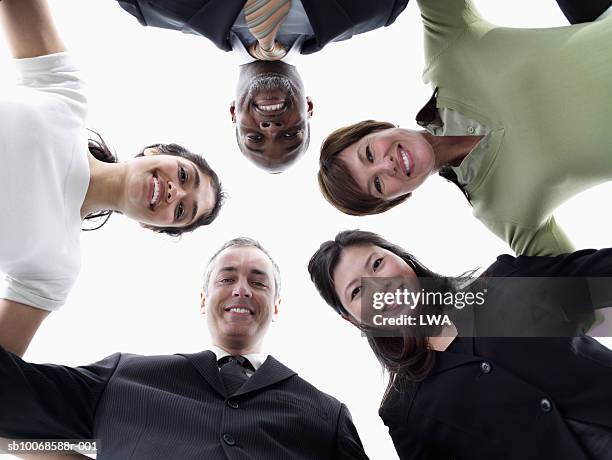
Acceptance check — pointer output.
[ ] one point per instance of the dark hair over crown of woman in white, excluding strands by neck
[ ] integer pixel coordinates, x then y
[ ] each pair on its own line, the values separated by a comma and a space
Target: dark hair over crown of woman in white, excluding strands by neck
204, 167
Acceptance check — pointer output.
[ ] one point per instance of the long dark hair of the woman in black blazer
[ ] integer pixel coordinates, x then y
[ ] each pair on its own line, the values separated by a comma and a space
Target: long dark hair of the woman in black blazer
408, 359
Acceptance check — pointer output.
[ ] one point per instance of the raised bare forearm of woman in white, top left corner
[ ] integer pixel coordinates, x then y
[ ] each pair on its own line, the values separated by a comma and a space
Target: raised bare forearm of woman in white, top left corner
29, 28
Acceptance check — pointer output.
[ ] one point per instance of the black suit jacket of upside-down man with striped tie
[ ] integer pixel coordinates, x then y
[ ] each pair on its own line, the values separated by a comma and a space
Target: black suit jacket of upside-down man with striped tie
331, 20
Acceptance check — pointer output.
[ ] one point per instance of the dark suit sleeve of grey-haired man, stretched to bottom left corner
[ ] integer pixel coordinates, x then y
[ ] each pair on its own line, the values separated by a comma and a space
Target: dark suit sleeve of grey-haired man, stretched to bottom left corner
47, 401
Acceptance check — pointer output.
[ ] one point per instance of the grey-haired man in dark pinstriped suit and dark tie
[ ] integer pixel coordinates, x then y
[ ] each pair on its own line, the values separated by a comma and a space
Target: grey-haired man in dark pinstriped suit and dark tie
229, 402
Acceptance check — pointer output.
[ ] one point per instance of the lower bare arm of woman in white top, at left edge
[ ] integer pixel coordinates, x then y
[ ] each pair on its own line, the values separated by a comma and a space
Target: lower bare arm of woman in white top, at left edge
18, 324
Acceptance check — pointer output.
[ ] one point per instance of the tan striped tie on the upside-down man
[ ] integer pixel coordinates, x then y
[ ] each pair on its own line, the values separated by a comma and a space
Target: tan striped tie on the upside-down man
264, 18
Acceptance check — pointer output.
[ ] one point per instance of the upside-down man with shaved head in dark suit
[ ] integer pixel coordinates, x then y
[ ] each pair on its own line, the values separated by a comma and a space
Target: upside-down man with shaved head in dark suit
271, 110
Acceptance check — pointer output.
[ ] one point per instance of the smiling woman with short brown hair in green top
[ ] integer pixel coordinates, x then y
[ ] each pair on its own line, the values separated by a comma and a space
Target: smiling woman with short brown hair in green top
521, 120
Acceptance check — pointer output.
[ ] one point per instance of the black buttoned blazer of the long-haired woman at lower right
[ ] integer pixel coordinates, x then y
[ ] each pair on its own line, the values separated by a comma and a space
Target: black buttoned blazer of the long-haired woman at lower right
511, 398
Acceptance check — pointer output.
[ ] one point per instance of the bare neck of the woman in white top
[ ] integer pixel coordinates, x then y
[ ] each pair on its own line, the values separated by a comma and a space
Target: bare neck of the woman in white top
106, 184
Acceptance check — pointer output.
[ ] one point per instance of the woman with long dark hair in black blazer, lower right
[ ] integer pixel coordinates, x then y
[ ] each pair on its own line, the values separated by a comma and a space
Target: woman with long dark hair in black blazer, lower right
469, 396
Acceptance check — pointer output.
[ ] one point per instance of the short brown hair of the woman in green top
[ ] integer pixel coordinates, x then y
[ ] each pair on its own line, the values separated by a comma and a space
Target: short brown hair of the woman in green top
337, 185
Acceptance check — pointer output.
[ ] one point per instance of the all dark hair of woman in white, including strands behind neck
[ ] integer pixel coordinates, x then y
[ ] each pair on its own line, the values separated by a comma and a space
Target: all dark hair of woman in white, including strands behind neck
100, 150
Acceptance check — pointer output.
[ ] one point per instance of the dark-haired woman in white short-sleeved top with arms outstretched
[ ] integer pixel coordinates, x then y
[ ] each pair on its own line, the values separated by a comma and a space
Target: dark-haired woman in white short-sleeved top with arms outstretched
53, 176
